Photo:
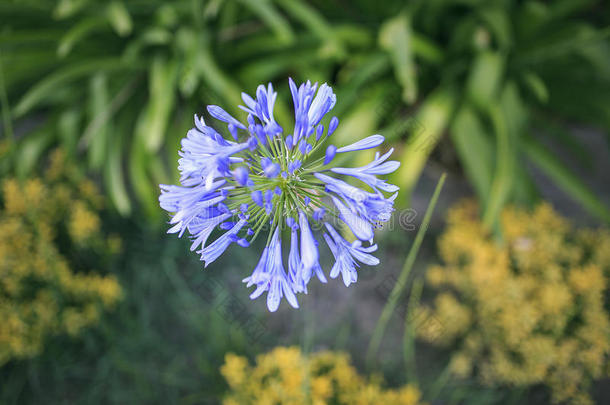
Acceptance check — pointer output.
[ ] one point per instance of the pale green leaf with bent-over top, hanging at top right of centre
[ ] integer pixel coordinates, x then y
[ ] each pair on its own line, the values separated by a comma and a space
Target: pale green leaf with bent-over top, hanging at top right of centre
395, 37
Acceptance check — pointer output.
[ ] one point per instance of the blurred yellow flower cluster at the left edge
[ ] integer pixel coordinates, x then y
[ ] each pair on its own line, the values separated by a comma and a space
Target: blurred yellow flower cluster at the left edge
43, 221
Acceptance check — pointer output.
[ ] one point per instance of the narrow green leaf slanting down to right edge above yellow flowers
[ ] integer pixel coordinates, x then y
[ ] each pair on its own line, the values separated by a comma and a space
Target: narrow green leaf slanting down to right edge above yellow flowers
565, 179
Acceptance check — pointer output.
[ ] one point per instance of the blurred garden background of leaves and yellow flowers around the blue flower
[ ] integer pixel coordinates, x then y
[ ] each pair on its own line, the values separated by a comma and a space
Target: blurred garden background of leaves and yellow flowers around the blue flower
506, 302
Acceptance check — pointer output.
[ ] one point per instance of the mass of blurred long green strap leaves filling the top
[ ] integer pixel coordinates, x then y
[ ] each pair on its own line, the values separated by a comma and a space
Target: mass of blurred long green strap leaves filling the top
118, 82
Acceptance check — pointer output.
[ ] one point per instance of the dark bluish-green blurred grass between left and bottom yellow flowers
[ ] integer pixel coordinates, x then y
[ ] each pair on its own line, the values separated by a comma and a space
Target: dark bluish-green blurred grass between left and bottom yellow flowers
162, 344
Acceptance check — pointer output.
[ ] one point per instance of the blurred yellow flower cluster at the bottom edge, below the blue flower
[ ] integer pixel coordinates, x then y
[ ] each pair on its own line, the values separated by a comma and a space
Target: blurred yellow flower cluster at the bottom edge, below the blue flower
286, 376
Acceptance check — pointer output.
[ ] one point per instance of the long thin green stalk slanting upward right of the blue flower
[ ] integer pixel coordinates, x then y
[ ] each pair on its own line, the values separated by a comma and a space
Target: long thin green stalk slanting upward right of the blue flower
400, 285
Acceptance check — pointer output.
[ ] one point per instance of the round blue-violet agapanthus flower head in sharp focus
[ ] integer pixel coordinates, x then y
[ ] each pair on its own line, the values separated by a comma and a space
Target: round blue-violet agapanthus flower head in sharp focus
266, 180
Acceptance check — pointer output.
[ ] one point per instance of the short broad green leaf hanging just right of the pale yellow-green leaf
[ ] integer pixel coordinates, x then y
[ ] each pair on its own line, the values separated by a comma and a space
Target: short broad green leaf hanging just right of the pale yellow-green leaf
474, 149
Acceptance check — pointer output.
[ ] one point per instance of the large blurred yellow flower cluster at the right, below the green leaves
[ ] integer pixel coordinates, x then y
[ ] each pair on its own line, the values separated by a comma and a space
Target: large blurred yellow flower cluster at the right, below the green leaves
528, 309
